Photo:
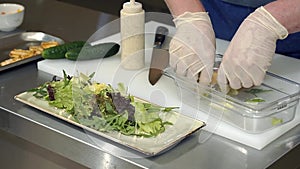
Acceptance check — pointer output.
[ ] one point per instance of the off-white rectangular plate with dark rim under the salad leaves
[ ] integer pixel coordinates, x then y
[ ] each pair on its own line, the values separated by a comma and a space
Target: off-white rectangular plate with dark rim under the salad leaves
182, 127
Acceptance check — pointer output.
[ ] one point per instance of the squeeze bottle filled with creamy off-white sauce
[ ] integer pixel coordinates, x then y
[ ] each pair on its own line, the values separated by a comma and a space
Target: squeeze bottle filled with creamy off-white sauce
132, 35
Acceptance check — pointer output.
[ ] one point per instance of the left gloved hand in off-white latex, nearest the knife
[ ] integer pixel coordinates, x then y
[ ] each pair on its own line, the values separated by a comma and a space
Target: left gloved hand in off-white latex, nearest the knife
192, 49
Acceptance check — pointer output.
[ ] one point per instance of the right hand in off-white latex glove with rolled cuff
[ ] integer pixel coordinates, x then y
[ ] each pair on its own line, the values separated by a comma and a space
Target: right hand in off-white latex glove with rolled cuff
251, 50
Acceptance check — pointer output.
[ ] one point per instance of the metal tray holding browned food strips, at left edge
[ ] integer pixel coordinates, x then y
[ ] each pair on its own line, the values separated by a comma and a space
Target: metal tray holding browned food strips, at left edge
23, 40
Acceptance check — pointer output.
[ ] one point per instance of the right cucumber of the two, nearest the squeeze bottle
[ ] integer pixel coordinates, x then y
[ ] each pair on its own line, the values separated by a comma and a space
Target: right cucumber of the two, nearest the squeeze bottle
102, 50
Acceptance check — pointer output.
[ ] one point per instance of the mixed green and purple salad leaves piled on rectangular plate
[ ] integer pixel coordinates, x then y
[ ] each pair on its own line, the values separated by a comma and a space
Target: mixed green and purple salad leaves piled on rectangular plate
101, 107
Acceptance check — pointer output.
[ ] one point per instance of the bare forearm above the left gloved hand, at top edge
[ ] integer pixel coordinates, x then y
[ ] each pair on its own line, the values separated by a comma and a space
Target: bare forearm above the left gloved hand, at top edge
178, 7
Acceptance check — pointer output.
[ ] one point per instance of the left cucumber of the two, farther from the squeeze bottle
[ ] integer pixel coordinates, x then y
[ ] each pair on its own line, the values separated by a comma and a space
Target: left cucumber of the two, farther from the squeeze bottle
58, 52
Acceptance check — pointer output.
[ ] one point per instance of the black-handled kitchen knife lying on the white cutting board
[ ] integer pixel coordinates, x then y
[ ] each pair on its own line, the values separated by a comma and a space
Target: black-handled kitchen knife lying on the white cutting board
160, 56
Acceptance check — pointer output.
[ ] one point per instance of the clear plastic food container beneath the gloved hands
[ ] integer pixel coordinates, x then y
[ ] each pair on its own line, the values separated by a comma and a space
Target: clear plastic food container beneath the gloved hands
254, 110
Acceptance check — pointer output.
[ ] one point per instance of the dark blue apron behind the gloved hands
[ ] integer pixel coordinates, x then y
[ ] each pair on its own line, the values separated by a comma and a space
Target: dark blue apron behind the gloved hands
227, 15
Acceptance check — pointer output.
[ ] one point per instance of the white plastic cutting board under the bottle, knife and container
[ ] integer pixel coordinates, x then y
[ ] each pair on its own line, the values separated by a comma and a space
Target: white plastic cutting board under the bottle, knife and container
164, 92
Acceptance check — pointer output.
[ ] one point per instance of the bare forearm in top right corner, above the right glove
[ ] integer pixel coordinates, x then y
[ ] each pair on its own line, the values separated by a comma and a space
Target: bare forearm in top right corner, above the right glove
287, 12
